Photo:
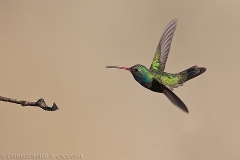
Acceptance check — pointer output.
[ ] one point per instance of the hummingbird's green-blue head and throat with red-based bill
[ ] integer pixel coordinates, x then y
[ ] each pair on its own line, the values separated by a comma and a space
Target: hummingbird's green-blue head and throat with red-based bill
140, 73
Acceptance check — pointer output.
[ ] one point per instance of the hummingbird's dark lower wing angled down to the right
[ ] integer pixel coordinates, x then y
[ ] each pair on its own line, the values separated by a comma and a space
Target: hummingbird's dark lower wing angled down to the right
171, 96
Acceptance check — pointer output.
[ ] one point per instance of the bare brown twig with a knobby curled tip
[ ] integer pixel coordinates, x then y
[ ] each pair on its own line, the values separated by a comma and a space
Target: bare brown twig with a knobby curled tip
40, 103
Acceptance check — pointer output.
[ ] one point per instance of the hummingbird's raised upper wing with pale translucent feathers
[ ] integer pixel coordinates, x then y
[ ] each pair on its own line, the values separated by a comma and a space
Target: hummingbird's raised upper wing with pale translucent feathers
163, 48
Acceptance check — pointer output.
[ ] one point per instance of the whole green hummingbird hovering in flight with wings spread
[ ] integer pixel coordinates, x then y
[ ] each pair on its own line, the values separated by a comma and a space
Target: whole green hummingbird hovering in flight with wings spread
155, 79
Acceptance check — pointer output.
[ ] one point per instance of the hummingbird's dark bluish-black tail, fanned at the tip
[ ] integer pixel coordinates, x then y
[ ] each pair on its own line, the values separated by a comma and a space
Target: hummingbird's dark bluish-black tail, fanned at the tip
192, 72
